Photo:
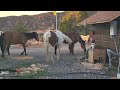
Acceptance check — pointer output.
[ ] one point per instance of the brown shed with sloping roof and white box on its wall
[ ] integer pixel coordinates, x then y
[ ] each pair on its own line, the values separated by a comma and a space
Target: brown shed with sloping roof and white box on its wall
106, 26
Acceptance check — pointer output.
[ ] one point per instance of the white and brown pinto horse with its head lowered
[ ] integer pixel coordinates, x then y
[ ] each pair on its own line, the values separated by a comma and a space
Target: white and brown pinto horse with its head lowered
51, 39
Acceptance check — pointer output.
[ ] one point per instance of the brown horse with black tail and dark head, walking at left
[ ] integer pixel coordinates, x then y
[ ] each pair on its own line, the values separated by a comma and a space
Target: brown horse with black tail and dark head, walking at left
10, 38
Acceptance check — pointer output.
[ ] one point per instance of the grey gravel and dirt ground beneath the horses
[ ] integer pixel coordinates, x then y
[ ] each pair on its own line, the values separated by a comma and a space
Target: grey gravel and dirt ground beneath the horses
68, 67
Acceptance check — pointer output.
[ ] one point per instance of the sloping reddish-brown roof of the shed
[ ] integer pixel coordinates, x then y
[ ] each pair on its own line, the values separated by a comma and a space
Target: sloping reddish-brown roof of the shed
101, 17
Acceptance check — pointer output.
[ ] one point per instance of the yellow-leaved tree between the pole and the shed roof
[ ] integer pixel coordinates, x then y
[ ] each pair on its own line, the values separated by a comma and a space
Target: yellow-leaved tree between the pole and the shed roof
69, 21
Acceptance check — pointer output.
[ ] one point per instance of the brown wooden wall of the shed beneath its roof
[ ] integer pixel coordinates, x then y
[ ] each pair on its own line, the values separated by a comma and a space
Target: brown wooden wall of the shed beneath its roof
102, 36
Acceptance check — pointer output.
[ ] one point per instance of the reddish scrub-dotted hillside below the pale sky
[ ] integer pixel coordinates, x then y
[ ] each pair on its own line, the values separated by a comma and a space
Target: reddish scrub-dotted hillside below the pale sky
31, 22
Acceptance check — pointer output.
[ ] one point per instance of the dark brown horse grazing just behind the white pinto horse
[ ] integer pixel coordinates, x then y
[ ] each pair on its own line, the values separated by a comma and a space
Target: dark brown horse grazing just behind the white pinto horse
75, 37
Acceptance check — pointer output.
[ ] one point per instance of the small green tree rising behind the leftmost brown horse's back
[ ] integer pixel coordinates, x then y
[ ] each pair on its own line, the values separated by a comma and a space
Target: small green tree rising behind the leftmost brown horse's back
19, 27
